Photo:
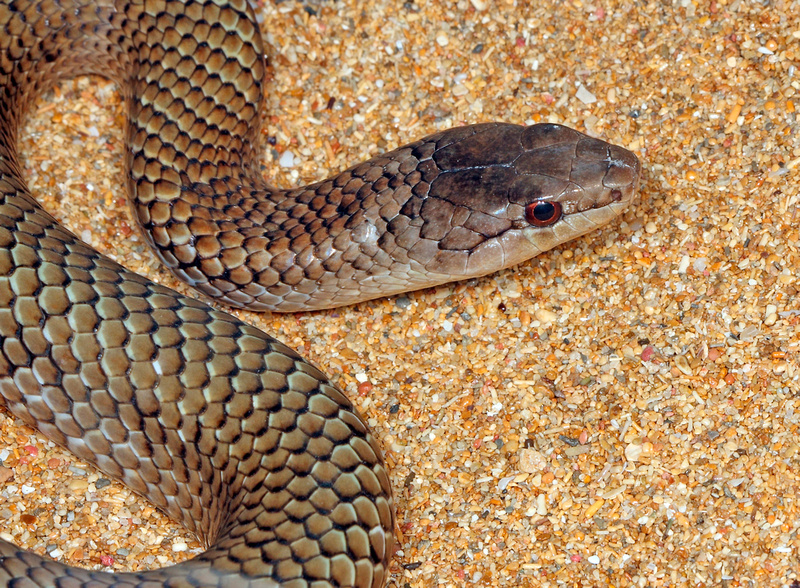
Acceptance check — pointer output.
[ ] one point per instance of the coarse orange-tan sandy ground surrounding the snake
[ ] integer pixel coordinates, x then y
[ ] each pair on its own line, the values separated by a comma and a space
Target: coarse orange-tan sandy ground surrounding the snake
620, 411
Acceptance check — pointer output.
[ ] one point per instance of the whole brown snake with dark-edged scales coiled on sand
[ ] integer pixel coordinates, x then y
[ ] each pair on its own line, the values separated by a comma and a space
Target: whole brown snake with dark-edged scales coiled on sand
217, 424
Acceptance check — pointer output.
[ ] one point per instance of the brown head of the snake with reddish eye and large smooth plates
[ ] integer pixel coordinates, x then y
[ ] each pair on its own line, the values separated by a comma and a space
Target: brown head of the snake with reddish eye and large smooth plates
504, 193
